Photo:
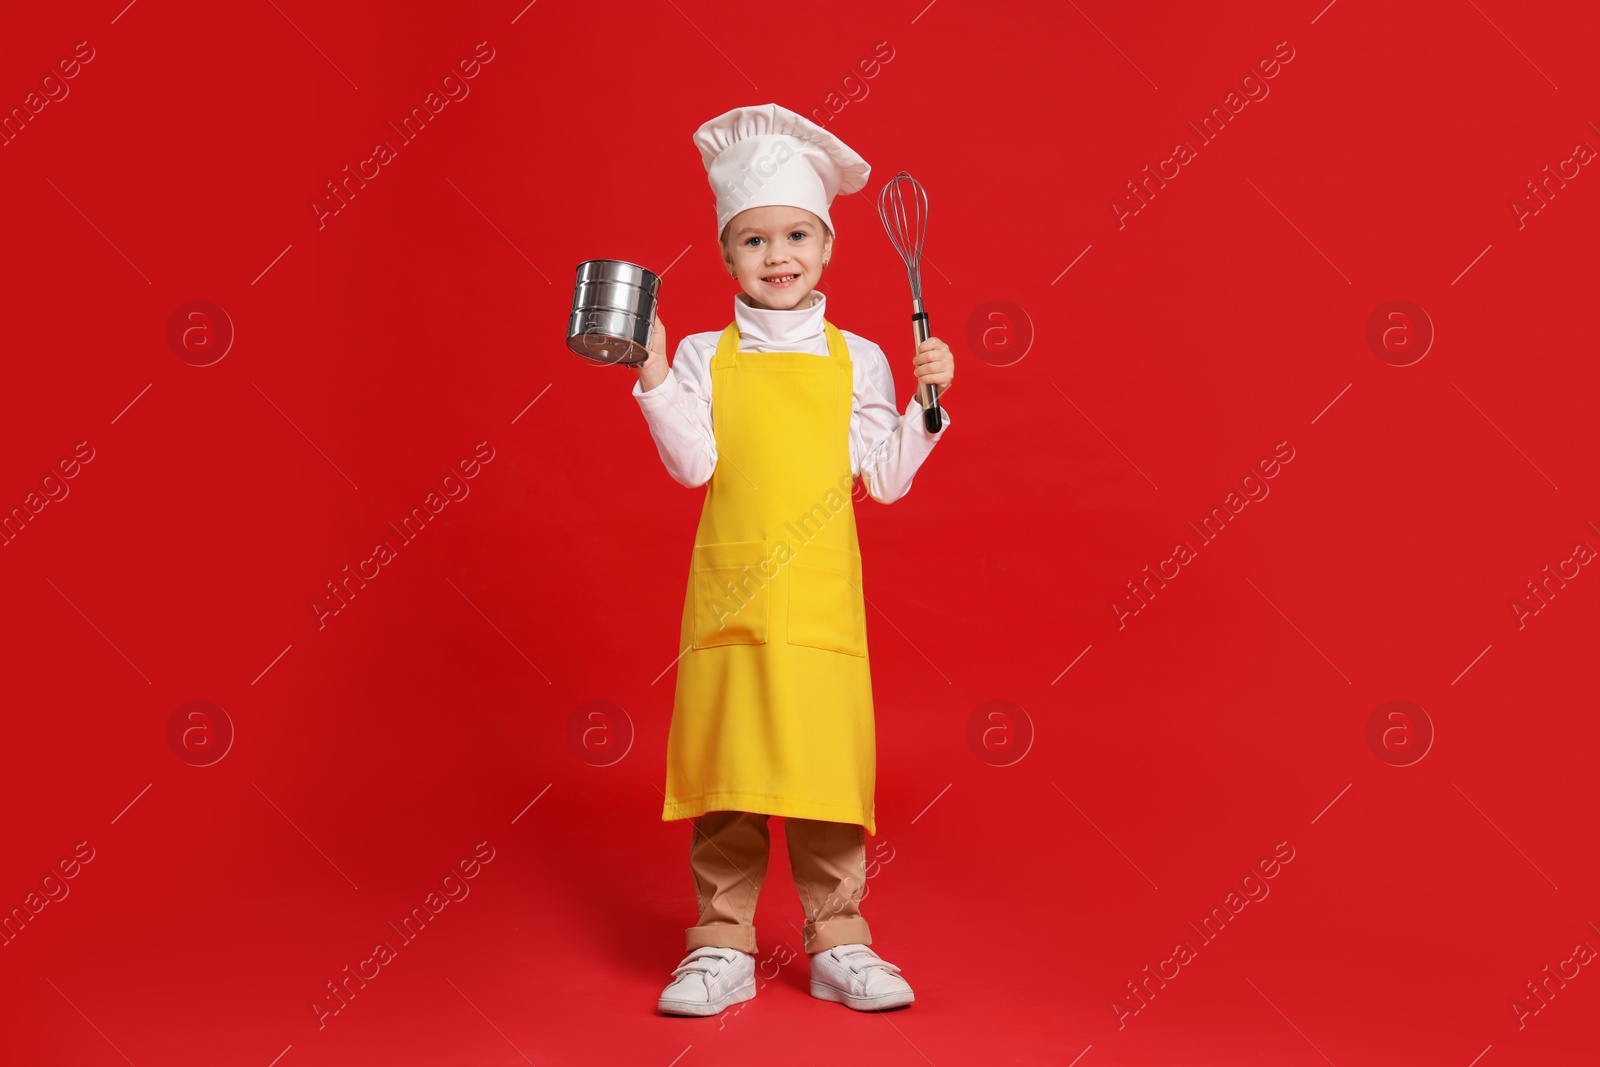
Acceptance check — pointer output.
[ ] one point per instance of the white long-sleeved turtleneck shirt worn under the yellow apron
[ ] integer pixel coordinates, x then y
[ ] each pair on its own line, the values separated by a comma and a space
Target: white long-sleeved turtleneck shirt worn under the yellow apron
886, 447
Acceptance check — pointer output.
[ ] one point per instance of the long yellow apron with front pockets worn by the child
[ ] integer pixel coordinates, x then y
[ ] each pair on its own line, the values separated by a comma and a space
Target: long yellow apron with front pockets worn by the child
774, 705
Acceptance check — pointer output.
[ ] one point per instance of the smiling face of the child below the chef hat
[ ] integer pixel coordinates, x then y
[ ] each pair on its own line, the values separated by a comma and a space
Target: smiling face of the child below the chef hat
777, 255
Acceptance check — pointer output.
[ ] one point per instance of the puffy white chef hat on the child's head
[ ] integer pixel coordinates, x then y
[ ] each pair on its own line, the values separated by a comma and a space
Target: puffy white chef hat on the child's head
766, 156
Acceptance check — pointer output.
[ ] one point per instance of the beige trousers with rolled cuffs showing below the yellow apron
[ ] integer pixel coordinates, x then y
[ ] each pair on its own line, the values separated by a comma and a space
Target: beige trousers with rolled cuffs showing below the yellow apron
729, 858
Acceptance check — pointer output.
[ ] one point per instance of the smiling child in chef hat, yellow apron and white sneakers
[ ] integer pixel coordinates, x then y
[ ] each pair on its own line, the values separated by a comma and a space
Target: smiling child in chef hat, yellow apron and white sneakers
774, 708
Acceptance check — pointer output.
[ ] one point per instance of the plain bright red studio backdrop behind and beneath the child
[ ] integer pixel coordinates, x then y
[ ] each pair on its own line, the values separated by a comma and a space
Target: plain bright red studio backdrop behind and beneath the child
436, 709
